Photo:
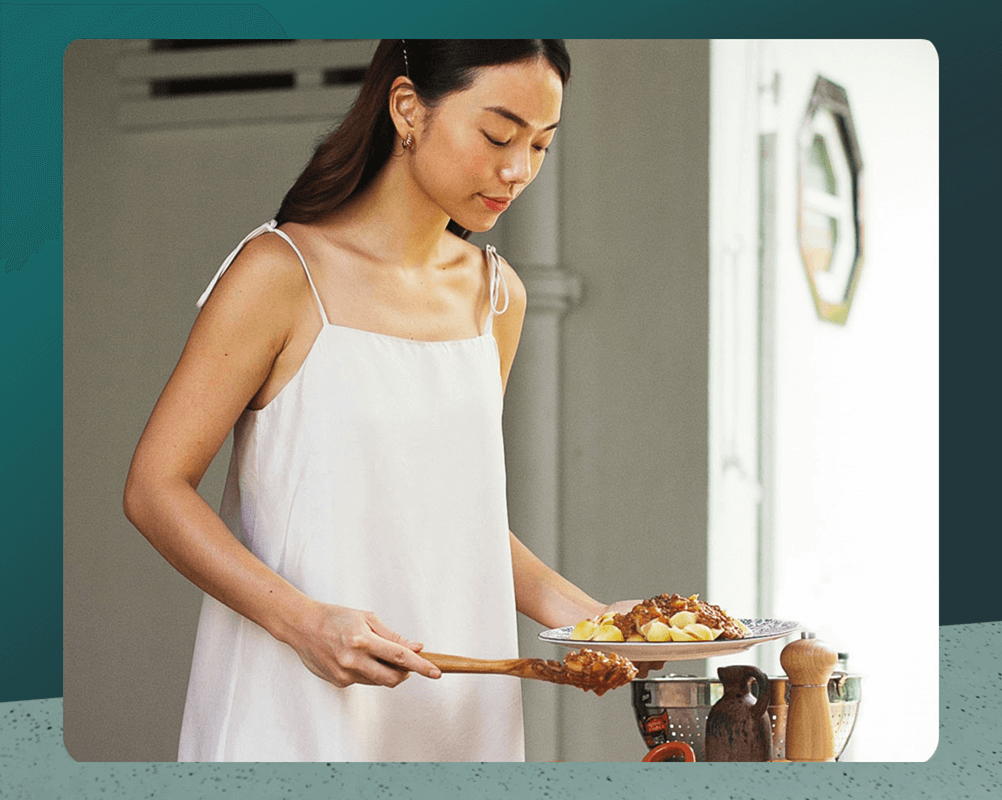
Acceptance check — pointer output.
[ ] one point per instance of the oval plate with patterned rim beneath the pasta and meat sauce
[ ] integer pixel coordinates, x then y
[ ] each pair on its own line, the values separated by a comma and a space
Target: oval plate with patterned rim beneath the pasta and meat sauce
762, 631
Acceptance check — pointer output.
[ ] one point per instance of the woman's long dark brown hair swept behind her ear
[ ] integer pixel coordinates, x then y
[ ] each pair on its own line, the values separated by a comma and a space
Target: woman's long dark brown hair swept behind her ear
347, 161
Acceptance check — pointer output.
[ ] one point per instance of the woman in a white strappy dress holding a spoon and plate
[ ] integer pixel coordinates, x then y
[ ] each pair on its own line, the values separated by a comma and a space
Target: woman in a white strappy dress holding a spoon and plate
359, 347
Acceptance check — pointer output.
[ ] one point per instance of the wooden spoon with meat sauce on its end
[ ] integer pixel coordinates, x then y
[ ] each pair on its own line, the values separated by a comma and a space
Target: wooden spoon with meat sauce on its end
587, 669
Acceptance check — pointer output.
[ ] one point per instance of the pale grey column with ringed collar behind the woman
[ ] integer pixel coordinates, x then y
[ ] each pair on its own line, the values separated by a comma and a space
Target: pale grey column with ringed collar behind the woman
532, 420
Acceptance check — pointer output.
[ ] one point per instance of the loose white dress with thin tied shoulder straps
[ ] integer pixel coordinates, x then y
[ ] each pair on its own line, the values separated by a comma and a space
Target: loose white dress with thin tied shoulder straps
375, 481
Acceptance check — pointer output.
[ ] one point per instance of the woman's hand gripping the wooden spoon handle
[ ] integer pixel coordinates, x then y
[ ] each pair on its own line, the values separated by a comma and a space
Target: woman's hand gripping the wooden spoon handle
346, 646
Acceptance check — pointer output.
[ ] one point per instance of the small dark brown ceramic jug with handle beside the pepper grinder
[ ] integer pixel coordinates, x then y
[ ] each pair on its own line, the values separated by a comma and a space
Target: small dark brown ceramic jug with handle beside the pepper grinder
738, 727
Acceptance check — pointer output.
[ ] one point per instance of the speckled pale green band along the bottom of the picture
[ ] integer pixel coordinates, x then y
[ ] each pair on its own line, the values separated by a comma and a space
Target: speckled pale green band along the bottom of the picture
968, 763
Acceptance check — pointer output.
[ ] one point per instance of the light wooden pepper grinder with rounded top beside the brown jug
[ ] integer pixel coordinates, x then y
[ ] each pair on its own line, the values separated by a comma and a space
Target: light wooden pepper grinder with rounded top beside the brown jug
809, 663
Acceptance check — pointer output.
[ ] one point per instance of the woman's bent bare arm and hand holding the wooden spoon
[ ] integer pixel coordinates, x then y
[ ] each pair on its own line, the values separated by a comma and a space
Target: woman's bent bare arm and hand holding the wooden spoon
250, 318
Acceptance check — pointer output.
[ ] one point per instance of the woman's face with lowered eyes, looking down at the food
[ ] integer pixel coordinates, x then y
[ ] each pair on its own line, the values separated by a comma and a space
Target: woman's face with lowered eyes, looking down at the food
479, 148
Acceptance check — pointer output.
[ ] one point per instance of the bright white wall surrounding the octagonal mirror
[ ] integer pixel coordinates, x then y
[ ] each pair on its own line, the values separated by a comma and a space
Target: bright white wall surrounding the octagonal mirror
854, 485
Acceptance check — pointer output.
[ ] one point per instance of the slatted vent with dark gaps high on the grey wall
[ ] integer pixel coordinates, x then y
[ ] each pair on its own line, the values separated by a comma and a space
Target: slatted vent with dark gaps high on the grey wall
186, 83
